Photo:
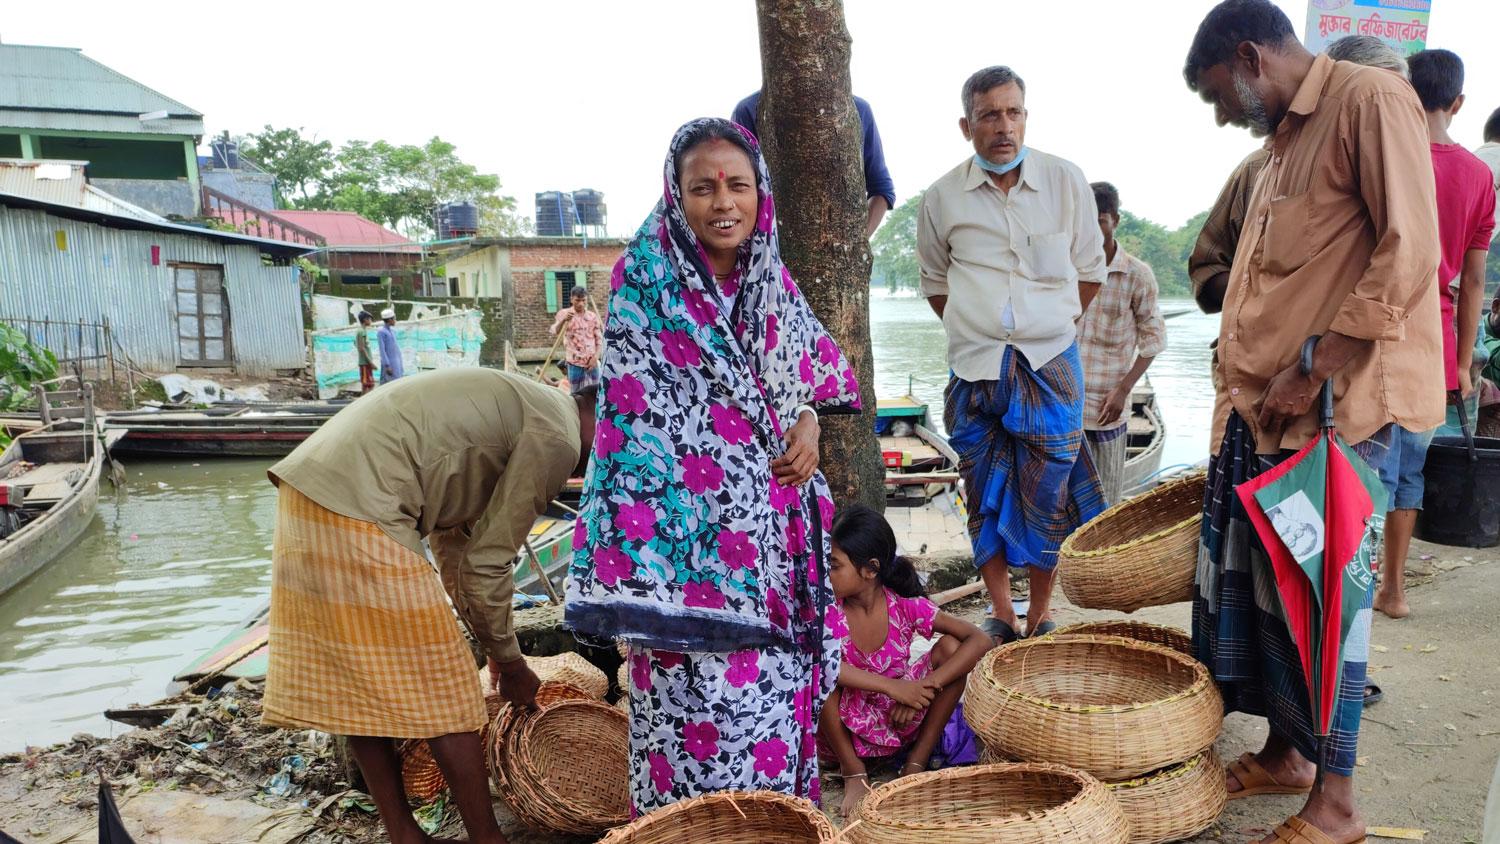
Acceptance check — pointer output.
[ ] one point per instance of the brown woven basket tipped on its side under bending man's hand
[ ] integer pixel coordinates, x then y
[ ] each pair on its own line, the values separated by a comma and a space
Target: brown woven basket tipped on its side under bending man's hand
566, 768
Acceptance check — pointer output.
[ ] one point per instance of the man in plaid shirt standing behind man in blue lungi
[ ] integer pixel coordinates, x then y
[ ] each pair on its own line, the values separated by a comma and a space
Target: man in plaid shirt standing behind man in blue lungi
1118, 340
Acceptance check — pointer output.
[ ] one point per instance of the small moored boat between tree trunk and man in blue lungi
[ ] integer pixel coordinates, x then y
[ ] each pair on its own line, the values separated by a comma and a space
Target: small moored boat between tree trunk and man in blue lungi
919, 461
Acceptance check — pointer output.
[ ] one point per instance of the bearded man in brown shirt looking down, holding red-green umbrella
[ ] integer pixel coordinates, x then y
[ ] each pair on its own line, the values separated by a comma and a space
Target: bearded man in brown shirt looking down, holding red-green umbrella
1340, 241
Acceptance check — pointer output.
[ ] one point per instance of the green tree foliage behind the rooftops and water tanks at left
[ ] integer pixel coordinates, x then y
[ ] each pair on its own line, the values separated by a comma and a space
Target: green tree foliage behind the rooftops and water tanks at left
395, 185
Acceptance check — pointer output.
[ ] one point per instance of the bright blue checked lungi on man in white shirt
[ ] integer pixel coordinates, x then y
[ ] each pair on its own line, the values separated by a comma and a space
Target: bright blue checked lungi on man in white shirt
1027, 476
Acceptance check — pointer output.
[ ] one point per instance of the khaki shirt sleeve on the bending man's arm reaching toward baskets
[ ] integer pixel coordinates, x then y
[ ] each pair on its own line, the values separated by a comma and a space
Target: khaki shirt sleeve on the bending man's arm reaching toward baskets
485, 579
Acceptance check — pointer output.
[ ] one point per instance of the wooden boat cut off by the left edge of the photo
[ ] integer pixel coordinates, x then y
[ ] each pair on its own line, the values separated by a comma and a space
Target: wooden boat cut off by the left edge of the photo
49, 492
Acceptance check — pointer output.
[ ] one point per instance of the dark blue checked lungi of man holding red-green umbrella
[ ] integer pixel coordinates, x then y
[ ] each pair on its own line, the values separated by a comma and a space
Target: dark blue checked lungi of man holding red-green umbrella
1240, 630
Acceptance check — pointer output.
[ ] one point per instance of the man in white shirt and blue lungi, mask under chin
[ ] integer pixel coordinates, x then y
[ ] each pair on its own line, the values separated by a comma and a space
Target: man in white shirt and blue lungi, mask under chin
1012, 254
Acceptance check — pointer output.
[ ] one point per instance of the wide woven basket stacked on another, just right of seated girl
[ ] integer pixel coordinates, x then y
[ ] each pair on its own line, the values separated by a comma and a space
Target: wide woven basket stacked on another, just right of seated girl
1108, 705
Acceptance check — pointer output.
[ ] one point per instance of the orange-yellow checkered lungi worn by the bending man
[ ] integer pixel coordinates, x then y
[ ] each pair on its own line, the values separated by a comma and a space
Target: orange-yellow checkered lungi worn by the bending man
362, 638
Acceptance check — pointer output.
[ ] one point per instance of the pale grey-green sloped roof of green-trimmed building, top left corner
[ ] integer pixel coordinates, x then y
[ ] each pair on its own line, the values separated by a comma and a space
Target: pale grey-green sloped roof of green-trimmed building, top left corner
64, 80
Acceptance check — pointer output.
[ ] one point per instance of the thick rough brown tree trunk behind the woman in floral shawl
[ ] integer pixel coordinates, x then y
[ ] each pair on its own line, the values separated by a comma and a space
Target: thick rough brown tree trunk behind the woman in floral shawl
811, 134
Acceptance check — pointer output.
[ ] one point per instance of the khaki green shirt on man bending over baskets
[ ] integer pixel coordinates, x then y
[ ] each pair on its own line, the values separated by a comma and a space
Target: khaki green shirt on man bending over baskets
467, 458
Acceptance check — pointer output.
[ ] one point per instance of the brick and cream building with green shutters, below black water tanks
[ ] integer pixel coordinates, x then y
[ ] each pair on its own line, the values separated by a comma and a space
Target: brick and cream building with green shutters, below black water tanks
533, 278
